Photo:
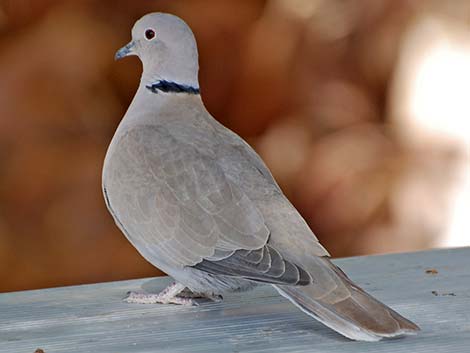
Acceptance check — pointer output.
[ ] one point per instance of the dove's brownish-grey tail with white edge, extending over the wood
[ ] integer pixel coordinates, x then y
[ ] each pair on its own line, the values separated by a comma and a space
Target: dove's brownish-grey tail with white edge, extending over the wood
358, 316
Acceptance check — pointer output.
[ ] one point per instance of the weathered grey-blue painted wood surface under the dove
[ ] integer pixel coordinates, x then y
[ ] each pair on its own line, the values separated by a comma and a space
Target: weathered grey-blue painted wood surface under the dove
431, 288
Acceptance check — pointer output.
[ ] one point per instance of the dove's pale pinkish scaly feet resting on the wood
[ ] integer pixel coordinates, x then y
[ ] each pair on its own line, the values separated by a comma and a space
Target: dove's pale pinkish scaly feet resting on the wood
173, 294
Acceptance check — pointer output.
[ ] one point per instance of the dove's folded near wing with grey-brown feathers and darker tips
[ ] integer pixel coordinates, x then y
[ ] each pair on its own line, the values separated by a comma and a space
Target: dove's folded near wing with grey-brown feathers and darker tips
180, 207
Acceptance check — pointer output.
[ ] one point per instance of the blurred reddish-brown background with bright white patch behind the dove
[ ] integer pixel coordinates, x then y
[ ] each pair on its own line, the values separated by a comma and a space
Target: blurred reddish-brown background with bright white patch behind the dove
360, 108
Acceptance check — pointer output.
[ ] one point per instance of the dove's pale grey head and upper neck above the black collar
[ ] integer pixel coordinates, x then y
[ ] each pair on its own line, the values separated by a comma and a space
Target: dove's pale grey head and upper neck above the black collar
167, 48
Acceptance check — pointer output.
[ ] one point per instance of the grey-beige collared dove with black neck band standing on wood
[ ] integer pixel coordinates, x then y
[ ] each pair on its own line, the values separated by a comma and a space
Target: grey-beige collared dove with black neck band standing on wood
199, 203
